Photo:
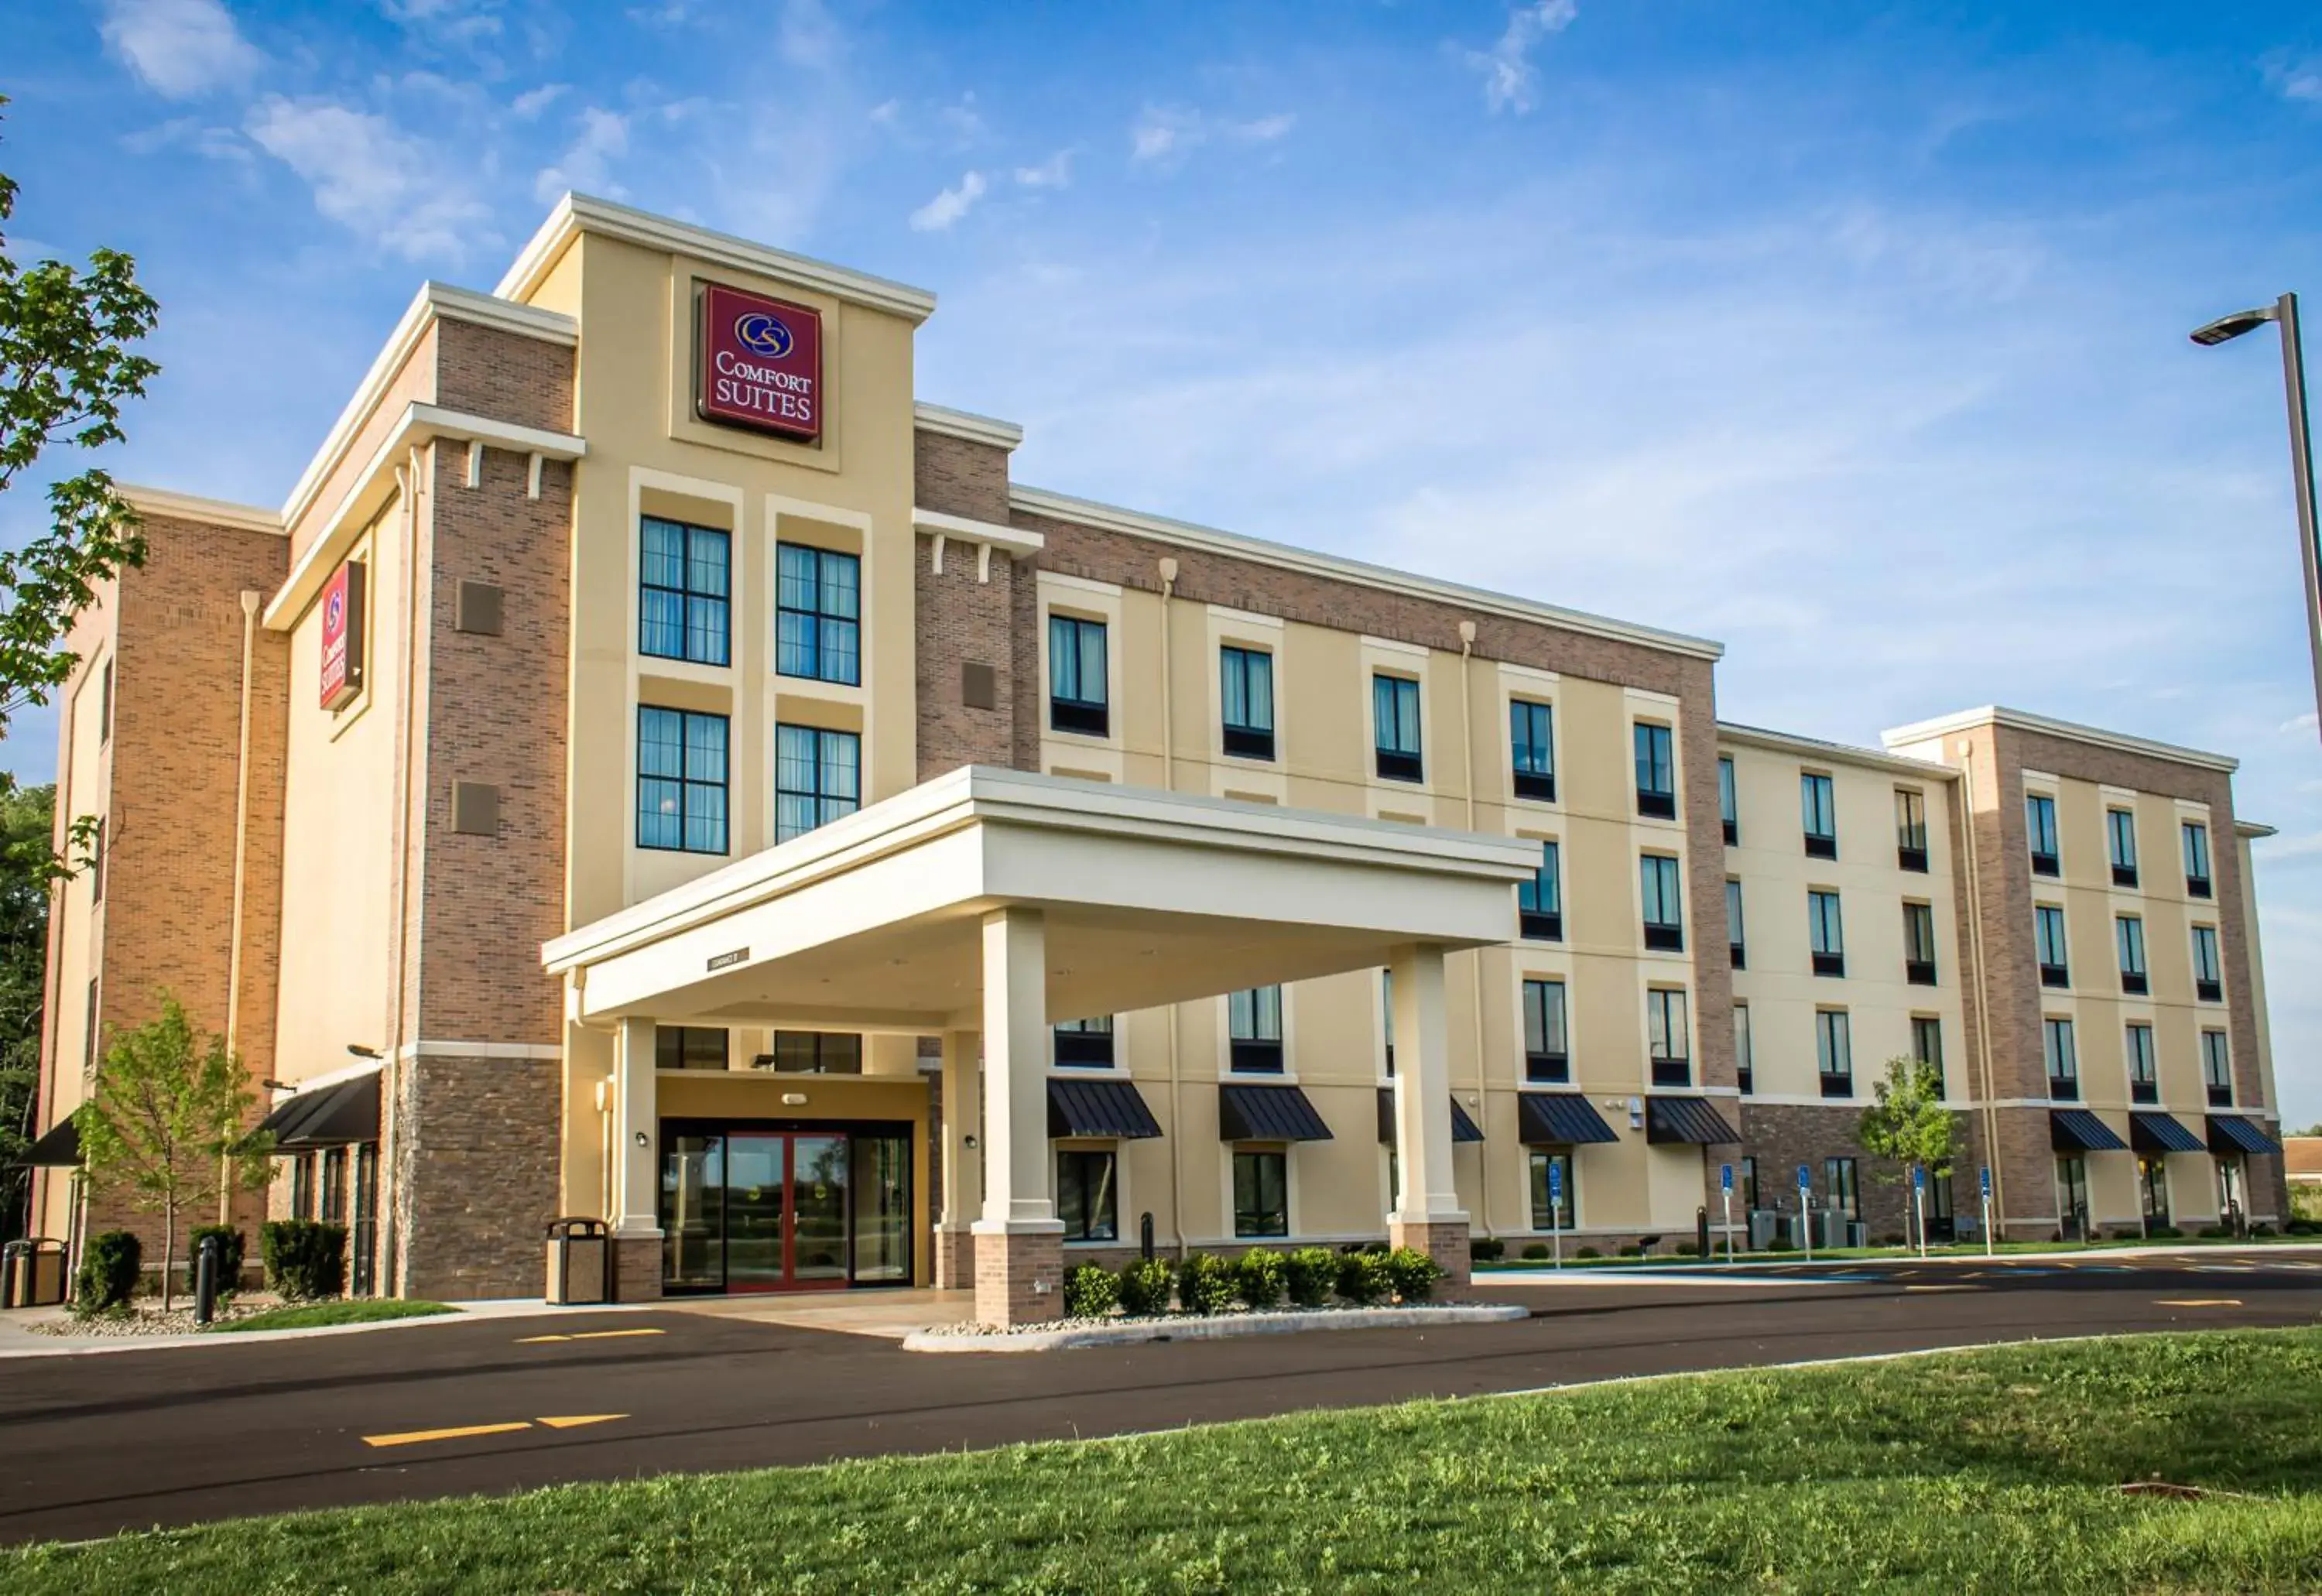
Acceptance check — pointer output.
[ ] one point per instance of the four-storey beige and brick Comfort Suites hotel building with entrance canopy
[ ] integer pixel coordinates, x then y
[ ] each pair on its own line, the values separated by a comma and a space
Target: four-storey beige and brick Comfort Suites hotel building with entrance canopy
654, 768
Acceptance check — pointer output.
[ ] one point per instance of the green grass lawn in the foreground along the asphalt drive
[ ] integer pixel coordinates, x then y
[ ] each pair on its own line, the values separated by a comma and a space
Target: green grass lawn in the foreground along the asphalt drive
1982, 1472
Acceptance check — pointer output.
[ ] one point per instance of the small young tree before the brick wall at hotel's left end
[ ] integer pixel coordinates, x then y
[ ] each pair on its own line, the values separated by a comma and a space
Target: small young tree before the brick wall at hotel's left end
166, 1123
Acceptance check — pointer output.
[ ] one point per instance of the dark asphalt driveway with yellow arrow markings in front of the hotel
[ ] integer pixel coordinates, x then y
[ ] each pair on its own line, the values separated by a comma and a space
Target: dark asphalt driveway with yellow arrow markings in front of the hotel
94, 1446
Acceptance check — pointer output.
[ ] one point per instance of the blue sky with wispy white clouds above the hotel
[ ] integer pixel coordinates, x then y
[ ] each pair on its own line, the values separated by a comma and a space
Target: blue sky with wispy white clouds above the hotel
1847, 336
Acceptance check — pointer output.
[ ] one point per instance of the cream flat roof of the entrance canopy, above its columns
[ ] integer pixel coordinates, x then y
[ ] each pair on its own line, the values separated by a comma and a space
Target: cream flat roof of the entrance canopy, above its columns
874, 923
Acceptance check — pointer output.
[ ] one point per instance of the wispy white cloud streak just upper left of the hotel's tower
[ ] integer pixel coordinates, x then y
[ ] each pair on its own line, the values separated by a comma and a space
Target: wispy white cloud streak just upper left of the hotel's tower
373, 178
